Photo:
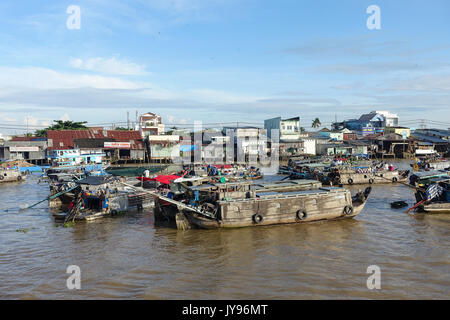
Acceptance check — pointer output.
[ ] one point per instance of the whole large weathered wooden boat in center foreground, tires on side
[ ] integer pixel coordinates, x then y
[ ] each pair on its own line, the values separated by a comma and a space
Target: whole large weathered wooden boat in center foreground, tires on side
244, 204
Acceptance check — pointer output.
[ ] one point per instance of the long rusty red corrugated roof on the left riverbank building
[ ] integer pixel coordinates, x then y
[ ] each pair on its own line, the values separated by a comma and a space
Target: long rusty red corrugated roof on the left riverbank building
64, 139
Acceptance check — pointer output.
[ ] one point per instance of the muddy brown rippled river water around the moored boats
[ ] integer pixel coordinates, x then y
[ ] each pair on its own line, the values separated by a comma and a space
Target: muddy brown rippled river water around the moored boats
128, 257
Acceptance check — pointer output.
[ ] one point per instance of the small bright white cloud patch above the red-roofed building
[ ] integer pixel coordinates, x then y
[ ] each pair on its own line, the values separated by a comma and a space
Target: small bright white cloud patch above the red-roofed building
108, 66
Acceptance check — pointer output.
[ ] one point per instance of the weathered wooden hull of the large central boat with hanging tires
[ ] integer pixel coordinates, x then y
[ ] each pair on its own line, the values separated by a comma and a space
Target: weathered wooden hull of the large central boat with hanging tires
301, 209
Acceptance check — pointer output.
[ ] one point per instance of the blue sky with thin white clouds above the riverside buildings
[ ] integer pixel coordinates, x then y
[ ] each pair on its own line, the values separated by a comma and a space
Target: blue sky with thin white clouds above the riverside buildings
222, 61
